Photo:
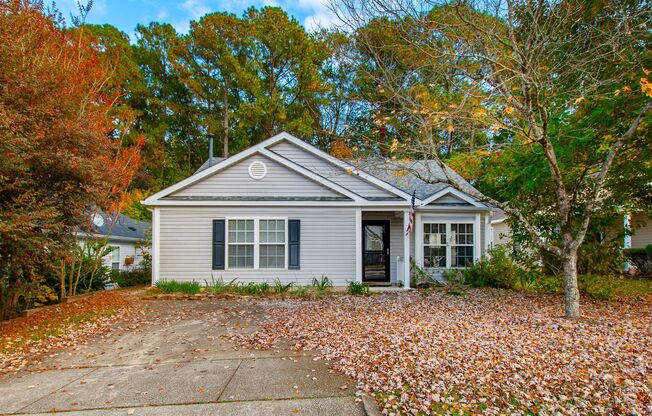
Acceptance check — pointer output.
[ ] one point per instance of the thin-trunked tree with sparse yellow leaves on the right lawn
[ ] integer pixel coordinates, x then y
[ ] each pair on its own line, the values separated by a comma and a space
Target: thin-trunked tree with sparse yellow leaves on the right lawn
563, 82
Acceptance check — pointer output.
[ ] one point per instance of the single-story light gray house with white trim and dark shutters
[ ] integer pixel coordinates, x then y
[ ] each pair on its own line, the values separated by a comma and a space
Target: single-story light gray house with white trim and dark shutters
285, 209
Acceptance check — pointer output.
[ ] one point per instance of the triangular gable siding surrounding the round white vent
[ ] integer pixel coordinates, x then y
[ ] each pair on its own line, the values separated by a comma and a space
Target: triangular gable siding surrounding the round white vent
236, 181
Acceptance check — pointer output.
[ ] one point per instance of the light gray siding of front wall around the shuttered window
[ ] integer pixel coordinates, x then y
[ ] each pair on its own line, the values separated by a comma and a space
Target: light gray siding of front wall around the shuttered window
327, 243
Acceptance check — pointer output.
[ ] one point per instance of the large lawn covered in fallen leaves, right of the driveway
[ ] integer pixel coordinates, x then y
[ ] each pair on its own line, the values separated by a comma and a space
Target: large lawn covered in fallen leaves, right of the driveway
488, 351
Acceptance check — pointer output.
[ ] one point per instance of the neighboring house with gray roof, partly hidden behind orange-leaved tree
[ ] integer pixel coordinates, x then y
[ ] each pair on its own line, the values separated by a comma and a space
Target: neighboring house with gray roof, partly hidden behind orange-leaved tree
124, 236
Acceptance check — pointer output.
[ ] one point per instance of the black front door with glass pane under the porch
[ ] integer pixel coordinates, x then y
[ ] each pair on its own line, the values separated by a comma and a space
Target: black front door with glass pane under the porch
375, 251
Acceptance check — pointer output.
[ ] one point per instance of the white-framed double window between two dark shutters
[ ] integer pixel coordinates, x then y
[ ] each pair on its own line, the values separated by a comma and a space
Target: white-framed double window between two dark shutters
256, 243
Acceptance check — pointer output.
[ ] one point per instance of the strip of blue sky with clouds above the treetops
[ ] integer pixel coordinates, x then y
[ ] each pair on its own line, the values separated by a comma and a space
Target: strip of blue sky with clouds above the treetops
126, 14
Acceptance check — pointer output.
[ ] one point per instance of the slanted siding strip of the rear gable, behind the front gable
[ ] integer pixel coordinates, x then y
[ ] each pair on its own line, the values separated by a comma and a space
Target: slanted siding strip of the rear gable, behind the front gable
330, 171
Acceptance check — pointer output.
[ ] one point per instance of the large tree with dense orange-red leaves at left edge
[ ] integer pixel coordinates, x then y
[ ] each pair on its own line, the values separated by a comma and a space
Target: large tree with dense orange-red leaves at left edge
61, 149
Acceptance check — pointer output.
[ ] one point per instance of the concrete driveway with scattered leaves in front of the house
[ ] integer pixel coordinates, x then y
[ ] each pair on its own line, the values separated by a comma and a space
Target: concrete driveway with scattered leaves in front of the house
171, 360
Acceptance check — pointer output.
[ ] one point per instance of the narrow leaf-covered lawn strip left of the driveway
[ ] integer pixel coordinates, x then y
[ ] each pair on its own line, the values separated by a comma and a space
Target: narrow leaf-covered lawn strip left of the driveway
26, 340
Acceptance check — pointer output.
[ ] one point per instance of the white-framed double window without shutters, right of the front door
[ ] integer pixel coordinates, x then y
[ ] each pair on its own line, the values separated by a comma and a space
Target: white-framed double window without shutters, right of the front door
448, 244
